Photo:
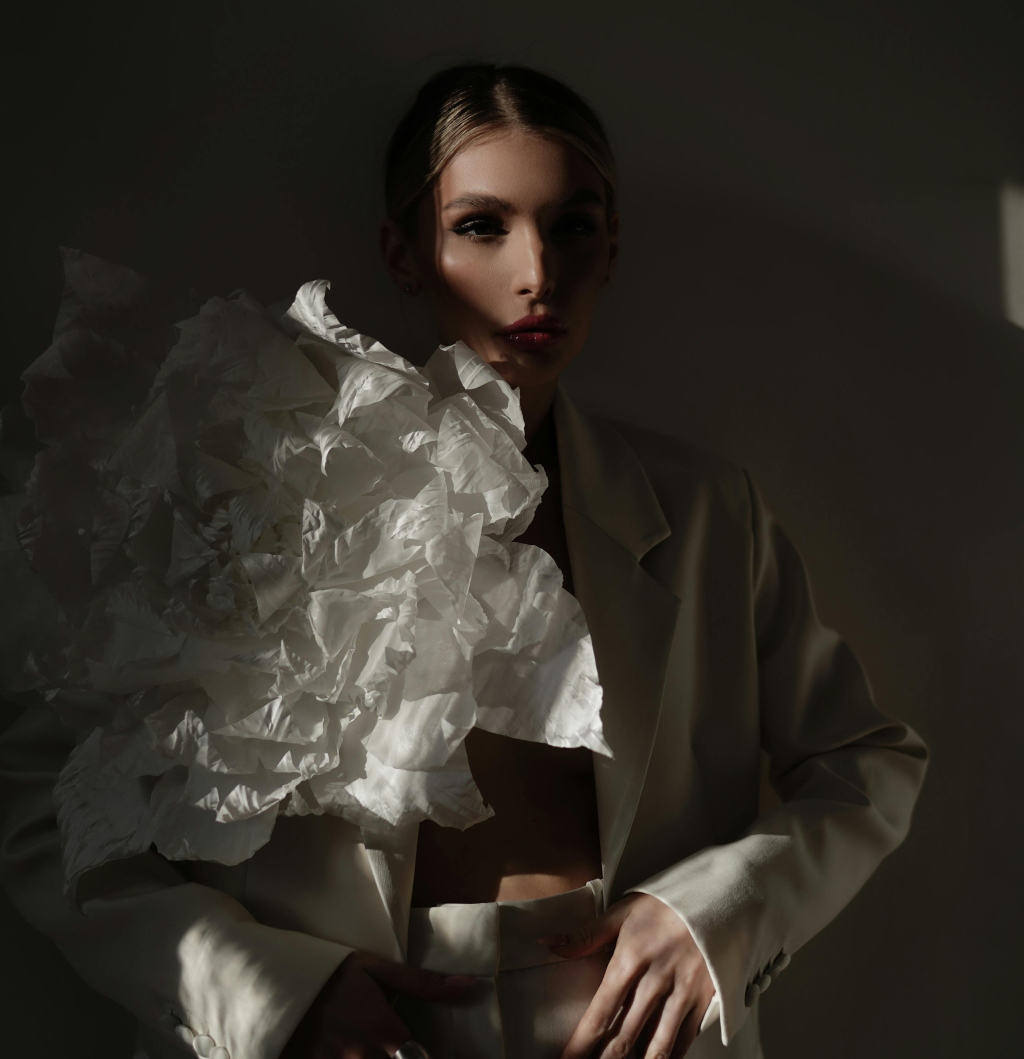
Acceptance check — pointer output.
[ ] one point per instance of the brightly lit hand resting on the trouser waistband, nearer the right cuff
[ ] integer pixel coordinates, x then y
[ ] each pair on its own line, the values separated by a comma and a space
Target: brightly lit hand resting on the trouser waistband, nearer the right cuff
656, 990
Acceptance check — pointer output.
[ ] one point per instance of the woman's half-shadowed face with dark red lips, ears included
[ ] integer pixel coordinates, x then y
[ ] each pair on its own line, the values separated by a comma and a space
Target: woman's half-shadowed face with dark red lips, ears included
512, 250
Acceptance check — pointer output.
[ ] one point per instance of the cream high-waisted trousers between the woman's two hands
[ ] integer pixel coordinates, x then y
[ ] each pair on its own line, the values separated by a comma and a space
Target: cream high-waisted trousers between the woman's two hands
527, 1002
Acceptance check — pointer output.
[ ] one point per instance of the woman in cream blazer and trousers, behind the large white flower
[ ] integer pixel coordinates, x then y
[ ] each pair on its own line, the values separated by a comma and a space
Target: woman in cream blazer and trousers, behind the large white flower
612, 907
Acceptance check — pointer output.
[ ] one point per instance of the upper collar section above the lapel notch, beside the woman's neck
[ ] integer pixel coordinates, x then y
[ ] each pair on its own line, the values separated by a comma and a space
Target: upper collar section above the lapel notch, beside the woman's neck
603, 479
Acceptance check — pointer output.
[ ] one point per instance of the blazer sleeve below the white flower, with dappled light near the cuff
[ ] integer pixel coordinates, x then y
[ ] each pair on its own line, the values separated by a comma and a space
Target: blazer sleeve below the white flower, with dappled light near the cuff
187, 960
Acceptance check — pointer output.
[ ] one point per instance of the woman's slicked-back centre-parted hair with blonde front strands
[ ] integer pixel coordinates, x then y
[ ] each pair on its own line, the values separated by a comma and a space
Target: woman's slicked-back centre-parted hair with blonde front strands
465, 103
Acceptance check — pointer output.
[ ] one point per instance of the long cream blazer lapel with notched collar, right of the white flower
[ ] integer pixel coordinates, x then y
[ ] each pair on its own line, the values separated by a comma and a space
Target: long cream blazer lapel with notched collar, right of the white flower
613, 519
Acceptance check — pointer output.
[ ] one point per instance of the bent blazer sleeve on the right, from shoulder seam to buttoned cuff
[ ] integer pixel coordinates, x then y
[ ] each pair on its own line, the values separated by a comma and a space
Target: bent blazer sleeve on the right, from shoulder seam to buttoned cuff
849, 778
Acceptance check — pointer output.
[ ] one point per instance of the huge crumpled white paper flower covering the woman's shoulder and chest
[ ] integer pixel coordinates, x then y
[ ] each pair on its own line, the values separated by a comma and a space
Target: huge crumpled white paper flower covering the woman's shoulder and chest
316, 595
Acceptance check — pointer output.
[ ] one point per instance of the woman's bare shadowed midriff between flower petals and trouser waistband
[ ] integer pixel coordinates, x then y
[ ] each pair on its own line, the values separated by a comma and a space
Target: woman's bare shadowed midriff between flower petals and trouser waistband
542, 841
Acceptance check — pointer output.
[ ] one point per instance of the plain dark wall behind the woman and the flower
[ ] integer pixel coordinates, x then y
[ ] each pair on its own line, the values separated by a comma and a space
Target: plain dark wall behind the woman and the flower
811, 283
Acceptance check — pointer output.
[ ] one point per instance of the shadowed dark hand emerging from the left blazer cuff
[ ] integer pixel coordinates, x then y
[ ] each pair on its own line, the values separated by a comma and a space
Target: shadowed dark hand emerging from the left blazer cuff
352, 1017
